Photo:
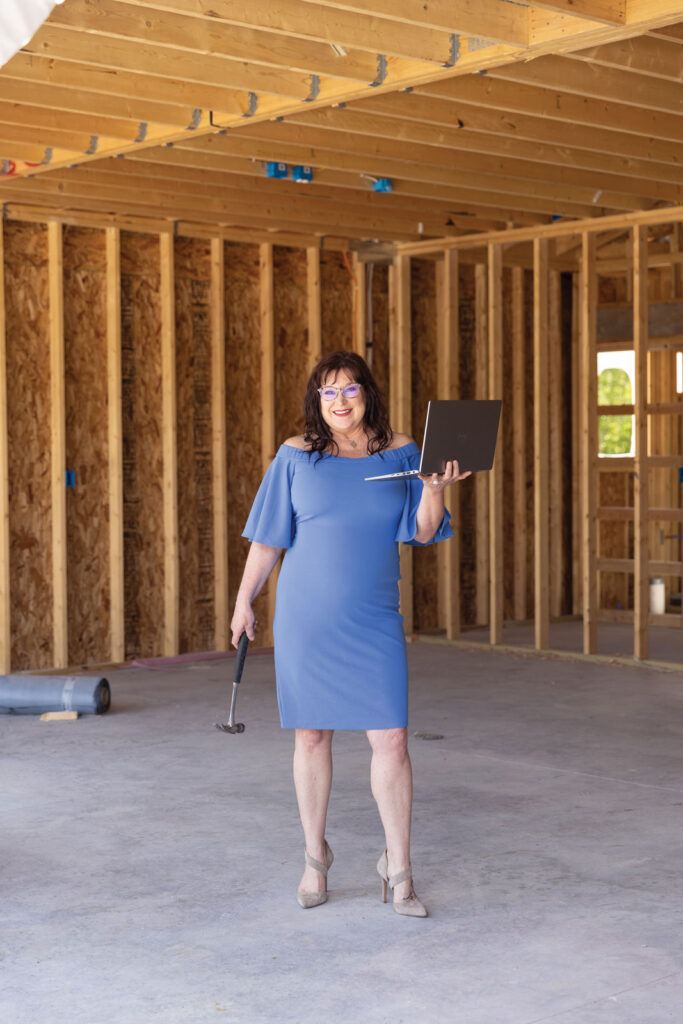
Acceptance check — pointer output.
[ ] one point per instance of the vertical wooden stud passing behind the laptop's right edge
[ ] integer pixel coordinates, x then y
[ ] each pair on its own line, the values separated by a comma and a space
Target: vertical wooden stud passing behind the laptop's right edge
496, 476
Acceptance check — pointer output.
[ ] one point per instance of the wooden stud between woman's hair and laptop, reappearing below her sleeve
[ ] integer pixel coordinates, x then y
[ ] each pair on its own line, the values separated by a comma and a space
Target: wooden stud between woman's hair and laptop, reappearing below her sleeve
400, 396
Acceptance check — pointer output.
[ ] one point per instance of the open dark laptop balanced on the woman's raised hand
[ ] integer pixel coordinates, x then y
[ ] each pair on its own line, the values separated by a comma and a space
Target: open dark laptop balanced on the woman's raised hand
462, 431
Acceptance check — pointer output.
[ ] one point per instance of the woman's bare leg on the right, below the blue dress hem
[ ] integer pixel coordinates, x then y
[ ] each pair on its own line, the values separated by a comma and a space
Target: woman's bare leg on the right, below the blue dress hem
392, 781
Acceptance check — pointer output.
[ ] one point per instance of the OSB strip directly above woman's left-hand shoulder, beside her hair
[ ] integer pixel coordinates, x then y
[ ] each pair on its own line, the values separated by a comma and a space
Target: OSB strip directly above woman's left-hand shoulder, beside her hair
291, 333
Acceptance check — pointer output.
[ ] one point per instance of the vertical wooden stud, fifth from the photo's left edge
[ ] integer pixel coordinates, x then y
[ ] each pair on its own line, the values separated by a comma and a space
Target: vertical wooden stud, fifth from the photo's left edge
220, 446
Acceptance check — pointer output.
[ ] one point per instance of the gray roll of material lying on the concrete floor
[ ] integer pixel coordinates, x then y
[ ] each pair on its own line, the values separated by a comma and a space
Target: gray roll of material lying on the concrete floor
37, 695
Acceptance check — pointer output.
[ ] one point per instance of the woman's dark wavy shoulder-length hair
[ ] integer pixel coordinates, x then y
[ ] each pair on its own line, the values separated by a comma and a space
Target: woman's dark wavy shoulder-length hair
375, 420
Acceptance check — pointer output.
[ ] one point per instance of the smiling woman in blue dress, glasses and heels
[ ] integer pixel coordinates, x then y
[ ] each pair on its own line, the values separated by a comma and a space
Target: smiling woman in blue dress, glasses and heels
339, 643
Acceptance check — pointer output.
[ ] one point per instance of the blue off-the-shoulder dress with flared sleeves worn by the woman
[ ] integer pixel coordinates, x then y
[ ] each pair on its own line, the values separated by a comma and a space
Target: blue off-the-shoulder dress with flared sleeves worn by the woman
339, 642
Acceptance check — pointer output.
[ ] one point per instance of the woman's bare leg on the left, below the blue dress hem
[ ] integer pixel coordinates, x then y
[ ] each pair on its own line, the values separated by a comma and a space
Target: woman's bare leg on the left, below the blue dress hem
313, 780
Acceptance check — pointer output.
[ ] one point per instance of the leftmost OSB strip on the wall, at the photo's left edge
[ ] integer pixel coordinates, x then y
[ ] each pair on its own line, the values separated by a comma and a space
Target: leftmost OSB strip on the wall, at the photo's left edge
30, 444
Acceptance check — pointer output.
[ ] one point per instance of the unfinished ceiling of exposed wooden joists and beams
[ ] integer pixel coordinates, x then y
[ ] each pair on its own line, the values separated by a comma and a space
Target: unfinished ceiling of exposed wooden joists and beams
484, 114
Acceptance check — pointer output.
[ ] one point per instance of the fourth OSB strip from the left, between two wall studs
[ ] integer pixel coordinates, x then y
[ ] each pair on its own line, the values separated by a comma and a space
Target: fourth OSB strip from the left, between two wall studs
193, 327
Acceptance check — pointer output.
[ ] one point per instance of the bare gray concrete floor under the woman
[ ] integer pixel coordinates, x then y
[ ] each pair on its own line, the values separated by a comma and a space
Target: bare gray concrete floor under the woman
150, 863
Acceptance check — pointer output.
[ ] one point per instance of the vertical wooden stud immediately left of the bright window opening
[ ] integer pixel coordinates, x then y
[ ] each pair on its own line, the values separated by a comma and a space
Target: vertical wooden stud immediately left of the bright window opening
589, 390
